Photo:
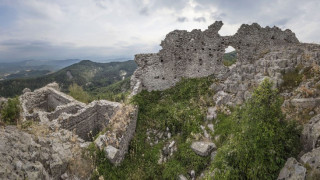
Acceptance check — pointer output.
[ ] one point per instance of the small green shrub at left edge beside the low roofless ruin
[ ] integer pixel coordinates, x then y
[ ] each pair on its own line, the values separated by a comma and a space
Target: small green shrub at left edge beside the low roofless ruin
10, 113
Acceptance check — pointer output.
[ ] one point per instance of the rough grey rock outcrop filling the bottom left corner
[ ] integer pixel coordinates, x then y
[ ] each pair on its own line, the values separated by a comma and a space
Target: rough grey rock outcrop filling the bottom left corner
26, 156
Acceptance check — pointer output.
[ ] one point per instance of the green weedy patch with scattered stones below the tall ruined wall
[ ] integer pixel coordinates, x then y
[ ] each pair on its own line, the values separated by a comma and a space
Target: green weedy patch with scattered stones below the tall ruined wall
182, 109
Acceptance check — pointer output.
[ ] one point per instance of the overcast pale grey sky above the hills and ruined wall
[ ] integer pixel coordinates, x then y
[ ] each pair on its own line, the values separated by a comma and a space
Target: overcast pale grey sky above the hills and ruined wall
108, 29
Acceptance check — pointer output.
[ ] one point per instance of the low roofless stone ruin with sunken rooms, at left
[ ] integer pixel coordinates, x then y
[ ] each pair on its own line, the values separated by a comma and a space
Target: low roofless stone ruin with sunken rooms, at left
50, 106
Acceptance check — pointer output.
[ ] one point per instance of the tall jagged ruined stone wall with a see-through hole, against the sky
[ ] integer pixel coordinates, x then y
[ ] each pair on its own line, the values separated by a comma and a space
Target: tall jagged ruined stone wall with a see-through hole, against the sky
199, 54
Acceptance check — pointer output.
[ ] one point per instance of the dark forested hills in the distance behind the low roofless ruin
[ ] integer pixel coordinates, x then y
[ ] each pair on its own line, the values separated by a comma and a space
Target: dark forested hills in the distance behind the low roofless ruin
90, 75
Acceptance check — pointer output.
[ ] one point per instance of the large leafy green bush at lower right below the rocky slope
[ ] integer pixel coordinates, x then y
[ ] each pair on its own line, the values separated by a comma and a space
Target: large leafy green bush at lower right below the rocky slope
262, 141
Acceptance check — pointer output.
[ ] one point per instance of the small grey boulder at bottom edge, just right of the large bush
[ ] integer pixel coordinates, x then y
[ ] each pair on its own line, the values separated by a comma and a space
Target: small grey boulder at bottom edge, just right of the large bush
292, 170
